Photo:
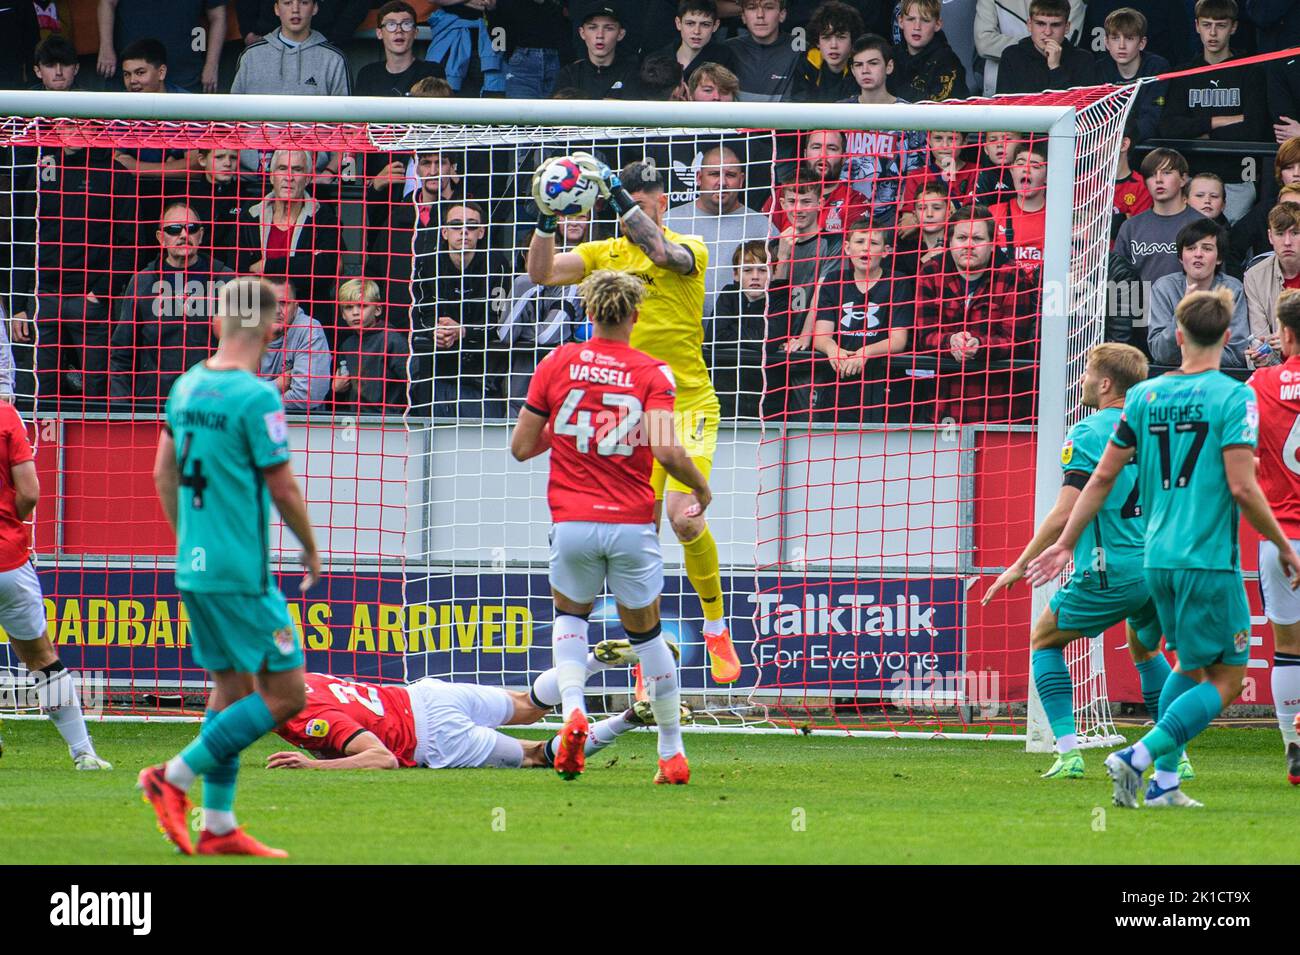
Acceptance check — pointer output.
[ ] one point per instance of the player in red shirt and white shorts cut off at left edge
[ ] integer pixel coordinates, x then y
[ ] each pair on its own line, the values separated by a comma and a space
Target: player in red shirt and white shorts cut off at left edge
23, 611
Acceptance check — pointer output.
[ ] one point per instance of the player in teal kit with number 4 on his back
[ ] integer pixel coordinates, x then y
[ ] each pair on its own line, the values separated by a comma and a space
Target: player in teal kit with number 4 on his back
223, 459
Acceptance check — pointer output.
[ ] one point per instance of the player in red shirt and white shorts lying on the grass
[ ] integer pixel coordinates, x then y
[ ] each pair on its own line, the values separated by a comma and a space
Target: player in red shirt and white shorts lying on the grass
439, 726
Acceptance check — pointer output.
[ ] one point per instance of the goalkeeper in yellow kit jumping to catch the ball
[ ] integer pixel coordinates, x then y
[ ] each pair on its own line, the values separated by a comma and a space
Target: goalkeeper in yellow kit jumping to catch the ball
670, 327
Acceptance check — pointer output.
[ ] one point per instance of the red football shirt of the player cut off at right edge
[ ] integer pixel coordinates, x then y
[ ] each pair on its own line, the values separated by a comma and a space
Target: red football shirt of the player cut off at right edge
1277, 393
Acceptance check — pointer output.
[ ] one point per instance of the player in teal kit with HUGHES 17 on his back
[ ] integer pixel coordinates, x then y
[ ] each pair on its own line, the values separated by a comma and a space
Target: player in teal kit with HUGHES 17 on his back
1194, 433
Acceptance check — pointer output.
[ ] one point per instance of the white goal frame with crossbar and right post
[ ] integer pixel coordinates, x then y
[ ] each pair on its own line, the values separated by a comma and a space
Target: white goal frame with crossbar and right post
1056, 123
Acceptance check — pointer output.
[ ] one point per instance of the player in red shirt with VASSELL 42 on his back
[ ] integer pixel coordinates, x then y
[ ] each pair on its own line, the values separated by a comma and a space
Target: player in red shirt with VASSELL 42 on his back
605, 413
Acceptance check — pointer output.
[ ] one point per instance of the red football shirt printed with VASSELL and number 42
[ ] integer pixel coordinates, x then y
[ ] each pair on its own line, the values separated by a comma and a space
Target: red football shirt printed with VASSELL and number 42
595, 394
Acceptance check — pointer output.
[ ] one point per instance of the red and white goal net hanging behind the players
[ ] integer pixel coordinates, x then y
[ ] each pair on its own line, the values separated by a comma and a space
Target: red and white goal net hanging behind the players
898, 306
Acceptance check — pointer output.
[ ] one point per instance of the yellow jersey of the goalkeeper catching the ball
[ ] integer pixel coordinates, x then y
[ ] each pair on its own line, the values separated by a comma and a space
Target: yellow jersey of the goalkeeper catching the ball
671, 323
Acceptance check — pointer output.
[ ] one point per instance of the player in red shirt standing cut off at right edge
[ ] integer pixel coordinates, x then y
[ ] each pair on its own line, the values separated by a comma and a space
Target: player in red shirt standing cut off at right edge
1277, 392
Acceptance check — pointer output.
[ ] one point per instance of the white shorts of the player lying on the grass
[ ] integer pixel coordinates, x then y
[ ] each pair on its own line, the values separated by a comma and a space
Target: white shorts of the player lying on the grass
456, 724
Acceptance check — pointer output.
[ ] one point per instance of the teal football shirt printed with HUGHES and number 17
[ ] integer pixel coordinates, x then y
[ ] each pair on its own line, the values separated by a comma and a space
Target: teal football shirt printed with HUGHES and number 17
1181, 424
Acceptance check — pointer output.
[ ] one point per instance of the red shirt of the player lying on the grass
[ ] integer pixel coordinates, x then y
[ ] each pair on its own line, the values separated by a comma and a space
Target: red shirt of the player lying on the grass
339, 711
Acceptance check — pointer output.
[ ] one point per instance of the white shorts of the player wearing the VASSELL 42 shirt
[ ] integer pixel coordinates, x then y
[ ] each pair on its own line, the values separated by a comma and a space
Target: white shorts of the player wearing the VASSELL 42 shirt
587, 555
